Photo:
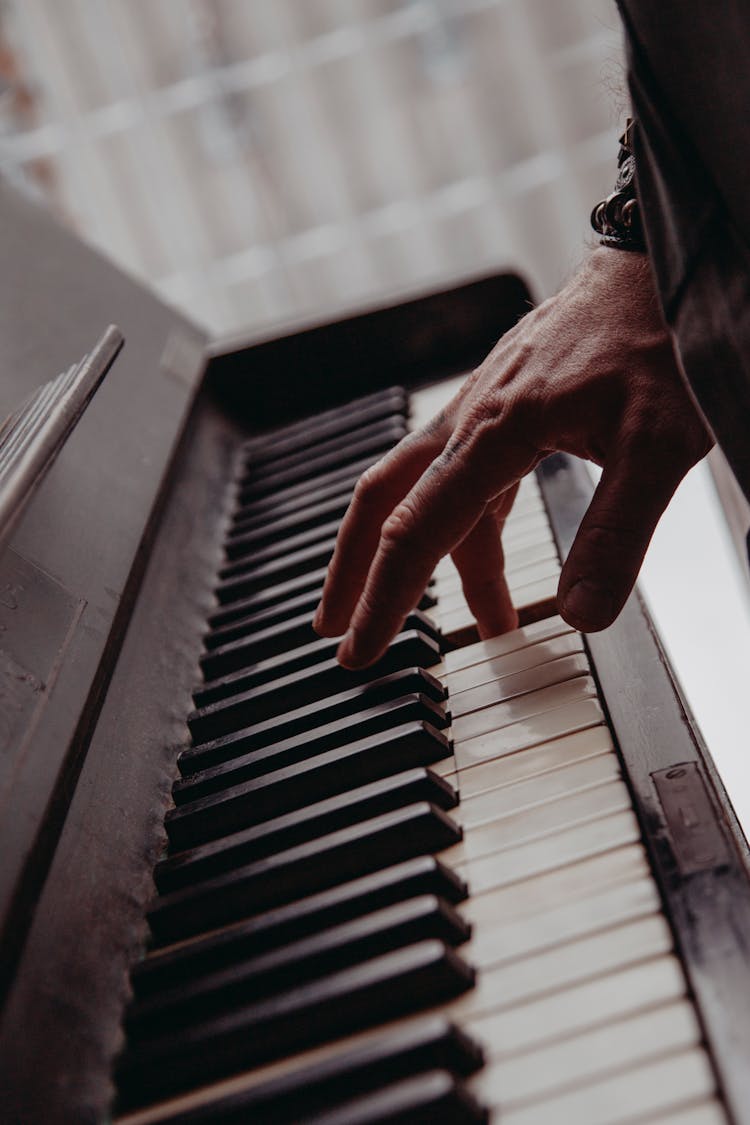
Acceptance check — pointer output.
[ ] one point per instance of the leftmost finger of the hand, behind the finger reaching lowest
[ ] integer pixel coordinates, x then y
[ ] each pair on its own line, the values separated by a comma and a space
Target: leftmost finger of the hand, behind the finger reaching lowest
377, 494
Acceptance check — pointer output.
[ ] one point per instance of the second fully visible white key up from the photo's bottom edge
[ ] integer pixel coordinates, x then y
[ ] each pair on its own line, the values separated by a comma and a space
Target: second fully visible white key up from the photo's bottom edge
597, 1003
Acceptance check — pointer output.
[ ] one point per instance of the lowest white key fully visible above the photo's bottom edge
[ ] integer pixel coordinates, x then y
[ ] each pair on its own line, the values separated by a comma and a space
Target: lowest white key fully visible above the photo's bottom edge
507, 1083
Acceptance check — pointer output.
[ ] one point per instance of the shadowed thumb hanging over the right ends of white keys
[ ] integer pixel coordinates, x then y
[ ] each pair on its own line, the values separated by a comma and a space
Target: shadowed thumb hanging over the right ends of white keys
612, 541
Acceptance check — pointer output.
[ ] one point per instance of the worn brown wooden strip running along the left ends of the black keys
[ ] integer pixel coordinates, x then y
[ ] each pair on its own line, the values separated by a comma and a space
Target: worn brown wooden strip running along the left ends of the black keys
64, 1015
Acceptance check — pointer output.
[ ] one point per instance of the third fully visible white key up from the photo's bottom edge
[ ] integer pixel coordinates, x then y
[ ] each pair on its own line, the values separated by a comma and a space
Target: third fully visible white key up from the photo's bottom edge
571, 964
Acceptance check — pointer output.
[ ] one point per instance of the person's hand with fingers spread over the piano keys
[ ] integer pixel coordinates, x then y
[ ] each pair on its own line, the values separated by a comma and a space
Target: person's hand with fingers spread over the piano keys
593, 373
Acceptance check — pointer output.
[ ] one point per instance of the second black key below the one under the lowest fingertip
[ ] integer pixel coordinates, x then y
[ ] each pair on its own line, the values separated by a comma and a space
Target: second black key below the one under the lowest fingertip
290, 751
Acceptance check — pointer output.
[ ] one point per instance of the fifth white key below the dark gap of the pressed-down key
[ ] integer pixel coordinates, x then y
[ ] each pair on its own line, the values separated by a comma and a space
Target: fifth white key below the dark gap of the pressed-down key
521, 736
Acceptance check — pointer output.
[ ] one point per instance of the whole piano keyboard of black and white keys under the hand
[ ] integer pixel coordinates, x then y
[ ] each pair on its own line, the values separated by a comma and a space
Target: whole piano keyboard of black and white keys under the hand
336, 938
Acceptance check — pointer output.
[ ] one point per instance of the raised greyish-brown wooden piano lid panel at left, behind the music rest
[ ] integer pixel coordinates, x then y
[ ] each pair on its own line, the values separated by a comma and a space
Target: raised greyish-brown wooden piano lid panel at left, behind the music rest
70, 571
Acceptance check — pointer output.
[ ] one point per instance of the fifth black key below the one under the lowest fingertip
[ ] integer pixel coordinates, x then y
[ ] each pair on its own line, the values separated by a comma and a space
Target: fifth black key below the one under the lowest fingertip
305, 870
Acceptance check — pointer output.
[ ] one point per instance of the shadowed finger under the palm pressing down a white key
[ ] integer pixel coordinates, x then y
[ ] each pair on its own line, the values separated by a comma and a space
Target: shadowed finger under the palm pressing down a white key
481, 562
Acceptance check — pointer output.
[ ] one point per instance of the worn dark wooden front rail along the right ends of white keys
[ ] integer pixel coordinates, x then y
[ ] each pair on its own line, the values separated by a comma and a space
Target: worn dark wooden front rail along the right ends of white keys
709, 910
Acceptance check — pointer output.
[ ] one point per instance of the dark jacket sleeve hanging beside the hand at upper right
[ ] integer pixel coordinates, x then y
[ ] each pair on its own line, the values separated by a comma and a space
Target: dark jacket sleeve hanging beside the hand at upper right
690, 79
